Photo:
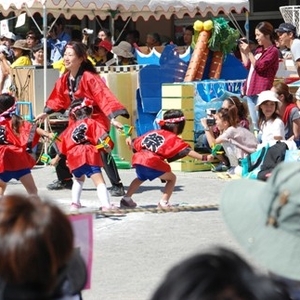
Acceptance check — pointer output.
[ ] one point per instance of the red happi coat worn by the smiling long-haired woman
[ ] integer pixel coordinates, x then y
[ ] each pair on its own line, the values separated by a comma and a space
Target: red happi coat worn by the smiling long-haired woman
106, 106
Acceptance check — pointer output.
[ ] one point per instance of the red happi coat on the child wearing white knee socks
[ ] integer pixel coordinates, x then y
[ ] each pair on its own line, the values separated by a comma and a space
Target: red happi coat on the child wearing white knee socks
78, 143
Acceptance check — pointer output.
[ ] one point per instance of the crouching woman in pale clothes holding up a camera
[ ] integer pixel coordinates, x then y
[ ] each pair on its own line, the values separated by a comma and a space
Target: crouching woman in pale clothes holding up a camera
237, 141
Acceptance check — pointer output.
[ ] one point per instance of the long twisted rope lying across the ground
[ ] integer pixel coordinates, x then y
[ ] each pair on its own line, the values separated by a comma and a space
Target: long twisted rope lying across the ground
119, 212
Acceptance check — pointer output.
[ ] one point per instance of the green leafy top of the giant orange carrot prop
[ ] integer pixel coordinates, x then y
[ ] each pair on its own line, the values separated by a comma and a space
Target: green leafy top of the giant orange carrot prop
223, 37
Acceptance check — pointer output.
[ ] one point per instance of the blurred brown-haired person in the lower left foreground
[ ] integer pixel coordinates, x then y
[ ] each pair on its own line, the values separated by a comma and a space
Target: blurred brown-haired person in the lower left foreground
38, 261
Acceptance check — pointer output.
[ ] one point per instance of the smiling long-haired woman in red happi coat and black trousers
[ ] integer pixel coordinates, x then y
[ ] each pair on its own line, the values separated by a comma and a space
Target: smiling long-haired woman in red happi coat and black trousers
82, 80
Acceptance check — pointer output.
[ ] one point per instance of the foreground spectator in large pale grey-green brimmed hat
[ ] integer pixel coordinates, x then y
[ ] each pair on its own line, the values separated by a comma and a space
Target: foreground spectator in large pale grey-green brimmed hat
264, 217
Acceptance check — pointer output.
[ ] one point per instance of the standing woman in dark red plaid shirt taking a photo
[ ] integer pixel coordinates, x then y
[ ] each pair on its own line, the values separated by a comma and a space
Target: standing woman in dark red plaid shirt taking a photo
262, 64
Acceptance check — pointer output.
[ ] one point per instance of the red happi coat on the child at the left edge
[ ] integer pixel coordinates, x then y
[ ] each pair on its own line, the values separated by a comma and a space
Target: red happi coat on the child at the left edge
13, 155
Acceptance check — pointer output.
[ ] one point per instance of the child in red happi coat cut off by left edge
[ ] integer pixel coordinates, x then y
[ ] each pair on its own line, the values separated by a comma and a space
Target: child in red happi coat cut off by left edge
17, 138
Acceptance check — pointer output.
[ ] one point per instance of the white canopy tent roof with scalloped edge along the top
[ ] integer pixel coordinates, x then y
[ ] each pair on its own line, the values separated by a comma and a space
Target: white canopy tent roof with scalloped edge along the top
126, 8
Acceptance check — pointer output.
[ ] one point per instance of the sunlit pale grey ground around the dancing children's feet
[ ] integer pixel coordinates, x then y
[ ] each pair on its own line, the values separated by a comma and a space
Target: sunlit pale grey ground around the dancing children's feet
132, 253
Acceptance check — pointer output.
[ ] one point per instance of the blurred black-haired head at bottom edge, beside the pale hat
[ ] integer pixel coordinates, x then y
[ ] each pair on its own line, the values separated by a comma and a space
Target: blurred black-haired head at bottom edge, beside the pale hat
217, 274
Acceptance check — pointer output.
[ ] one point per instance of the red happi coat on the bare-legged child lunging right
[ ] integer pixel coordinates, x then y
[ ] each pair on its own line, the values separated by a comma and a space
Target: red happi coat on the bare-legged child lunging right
155, 147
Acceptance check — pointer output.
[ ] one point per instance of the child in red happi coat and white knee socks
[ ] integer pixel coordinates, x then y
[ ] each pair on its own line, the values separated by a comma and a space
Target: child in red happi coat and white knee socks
78, 144
